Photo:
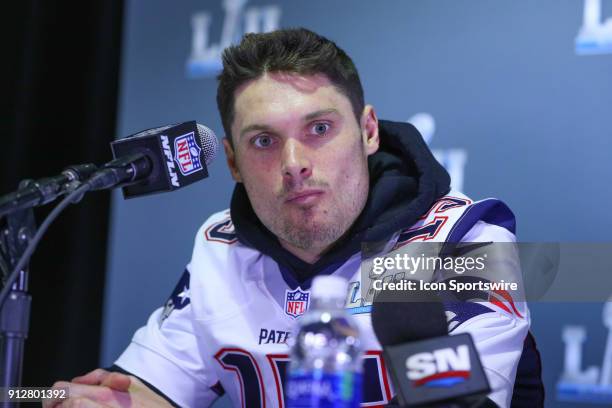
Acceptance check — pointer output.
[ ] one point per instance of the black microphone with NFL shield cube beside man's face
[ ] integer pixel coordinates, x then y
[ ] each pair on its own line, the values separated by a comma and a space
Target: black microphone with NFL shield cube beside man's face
161, 159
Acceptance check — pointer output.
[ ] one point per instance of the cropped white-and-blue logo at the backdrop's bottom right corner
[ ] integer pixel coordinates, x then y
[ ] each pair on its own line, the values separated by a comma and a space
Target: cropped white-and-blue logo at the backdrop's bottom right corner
592, 384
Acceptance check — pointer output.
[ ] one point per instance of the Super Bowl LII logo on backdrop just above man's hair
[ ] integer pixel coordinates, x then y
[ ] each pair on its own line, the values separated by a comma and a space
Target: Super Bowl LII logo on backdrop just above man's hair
205, 58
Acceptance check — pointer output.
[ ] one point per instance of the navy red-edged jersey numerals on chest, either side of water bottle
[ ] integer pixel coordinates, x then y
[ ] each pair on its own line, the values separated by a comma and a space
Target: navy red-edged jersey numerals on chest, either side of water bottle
376, 391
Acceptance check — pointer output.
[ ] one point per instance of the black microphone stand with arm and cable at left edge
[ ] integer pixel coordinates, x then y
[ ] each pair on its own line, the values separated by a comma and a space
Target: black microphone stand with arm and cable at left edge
19, 237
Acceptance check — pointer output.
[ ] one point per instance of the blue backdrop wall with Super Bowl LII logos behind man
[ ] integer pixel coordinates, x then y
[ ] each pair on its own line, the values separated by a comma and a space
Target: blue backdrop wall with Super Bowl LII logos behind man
514, 97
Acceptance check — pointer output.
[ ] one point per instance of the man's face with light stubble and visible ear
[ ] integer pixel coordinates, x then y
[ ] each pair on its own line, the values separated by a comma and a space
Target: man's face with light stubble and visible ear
302, 157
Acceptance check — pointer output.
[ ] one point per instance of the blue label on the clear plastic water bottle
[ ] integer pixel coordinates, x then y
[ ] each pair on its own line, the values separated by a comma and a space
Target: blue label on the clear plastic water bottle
323, 390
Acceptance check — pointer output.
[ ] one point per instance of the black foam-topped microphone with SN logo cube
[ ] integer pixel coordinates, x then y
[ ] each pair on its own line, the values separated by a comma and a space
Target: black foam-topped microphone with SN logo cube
429, 368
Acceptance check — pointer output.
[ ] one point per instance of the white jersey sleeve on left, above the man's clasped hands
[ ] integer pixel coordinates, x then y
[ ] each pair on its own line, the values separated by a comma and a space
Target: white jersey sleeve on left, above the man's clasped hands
165, 353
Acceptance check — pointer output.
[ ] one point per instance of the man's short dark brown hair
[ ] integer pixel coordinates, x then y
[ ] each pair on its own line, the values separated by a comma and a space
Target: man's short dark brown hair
298, 51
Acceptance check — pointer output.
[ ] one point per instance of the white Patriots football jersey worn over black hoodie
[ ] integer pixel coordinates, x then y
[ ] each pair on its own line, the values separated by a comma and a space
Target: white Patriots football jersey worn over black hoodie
226, 325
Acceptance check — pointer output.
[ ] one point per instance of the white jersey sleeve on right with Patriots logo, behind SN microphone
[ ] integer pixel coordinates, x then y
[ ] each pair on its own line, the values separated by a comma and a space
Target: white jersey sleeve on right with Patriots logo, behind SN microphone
497, 322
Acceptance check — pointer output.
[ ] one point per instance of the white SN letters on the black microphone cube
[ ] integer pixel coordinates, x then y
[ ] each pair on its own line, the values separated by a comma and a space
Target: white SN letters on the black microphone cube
424, 366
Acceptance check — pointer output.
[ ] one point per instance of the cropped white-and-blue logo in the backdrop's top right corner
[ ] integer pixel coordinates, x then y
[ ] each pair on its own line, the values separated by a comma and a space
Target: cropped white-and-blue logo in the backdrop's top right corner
595, 35
